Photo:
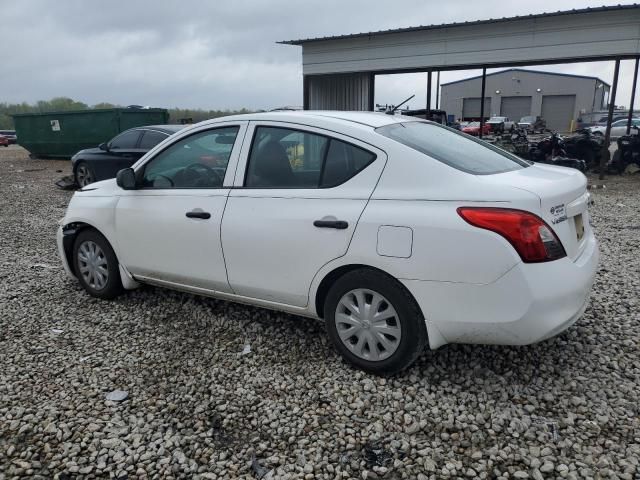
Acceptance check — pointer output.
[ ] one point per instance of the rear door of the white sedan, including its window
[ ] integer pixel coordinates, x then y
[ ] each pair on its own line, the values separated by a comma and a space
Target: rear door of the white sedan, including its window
297, 197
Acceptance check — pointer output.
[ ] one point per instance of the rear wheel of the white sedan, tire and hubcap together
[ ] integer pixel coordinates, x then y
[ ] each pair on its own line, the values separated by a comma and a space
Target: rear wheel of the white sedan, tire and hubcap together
374, 345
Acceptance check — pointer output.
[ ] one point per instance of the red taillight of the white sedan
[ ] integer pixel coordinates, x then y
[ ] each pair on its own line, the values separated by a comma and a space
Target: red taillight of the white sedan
532, 238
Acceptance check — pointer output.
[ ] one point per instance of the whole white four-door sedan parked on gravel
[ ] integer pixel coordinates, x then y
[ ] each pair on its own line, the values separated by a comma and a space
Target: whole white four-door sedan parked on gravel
398, 232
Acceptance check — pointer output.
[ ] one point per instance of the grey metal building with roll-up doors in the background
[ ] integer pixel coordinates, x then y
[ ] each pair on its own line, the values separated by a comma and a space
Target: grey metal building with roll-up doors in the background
557, 97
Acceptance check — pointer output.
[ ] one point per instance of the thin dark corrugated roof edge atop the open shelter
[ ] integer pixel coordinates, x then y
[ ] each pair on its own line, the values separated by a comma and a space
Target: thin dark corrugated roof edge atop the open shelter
575, 11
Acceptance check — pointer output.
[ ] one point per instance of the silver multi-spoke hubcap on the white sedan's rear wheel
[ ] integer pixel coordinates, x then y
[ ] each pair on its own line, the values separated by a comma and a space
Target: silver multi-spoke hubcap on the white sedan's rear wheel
368, 325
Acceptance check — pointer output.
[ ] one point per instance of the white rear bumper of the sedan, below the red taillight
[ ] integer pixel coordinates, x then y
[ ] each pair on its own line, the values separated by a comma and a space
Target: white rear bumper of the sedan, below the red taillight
528, 304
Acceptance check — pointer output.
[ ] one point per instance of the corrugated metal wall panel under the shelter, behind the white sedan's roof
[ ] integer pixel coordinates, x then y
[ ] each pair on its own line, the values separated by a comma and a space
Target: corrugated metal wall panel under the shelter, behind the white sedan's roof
340, 92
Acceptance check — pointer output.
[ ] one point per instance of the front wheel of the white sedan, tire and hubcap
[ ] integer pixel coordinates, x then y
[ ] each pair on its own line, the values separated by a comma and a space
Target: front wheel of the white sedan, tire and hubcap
96, 265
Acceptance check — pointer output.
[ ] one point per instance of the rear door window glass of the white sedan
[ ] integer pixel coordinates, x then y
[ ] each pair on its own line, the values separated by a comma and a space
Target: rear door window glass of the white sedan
289, 158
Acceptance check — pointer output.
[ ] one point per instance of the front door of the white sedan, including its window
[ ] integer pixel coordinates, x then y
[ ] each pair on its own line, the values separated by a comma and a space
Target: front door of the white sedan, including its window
168, 229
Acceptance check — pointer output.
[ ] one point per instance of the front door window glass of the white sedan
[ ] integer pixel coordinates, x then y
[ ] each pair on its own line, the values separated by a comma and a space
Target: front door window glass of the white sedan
197, 161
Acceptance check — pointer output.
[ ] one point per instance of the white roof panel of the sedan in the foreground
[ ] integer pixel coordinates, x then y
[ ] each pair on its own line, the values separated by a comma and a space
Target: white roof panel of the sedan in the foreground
369, 119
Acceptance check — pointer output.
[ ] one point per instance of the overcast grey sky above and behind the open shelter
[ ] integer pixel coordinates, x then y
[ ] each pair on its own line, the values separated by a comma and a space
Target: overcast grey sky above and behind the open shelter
218, 54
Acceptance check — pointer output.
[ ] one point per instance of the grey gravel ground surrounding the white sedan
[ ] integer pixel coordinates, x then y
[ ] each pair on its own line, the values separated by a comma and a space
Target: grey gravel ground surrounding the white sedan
197, 408
